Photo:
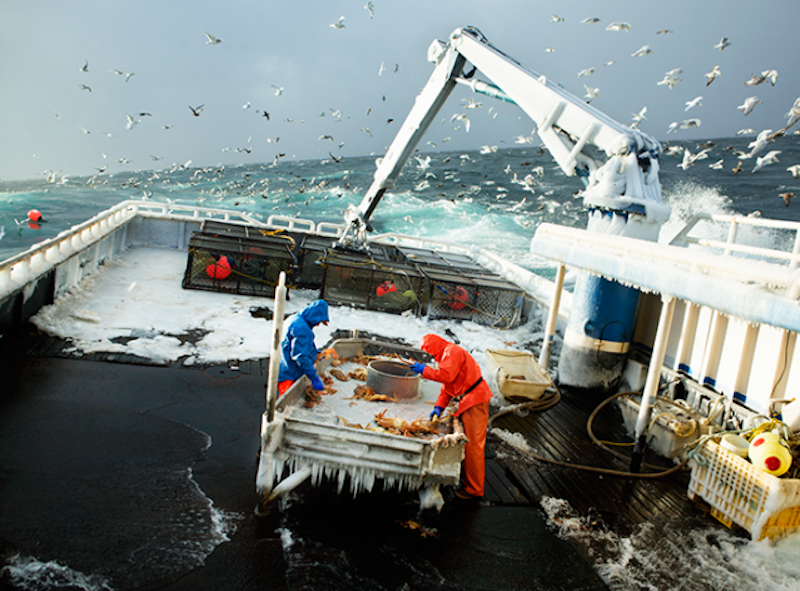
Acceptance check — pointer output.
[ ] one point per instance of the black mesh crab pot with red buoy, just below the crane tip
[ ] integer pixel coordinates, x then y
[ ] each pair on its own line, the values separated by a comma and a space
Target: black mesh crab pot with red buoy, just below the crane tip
377, 281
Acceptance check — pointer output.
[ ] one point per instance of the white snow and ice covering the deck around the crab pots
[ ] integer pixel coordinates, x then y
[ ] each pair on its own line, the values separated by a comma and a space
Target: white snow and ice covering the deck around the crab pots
135, 305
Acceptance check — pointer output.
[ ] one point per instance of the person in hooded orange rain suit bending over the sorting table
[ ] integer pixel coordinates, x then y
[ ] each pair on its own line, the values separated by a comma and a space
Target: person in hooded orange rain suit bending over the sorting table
461, 381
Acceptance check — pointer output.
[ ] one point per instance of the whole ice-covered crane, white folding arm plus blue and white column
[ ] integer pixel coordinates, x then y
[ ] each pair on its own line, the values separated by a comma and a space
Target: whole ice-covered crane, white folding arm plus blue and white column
623, 191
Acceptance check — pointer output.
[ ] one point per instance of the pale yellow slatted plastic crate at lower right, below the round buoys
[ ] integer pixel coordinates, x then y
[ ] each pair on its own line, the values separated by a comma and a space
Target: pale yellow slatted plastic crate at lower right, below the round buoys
741, 494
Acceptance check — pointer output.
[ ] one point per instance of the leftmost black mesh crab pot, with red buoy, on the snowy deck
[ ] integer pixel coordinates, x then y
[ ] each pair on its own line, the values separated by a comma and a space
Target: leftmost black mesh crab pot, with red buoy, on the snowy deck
239, 260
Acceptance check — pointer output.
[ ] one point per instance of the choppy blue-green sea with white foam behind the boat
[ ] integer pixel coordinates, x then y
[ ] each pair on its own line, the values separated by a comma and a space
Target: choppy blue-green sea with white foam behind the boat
475, 197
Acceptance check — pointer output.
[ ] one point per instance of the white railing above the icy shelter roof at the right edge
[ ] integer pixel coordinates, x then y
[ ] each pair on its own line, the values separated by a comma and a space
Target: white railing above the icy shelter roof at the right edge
731, 246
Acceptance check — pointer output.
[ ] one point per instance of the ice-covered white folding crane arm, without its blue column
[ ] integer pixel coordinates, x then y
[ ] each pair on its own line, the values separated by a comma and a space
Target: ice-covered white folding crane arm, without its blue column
627, 181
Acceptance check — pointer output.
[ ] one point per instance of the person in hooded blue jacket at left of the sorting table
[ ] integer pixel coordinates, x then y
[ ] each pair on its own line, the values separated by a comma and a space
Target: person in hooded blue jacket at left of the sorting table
298, 352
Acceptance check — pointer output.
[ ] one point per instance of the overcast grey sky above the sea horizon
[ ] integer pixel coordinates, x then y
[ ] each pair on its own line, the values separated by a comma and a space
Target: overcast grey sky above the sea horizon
49, 122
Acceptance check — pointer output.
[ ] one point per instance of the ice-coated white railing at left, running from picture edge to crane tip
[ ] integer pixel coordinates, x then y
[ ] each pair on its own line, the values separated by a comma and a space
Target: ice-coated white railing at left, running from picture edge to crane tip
22, 268
